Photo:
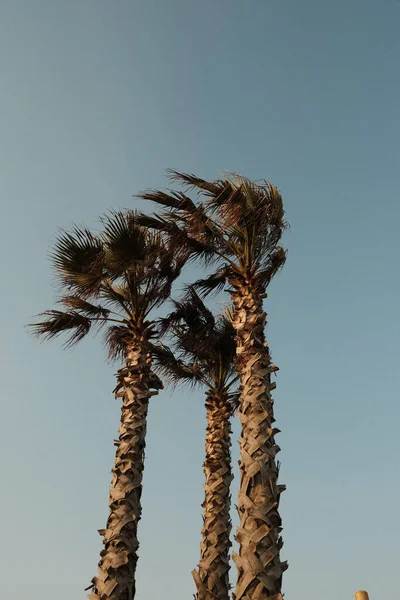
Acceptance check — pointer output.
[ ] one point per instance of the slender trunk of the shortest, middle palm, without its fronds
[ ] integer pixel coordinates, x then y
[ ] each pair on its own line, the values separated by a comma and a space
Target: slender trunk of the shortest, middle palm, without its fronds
212, 577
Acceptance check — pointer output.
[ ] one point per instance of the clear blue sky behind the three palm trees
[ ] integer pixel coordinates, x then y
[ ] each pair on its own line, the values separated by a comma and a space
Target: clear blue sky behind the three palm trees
97, 98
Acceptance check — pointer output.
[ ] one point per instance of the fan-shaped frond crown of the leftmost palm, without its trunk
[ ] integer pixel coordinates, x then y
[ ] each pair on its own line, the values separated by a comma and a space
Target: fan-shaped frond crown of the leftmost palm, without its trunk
116, 278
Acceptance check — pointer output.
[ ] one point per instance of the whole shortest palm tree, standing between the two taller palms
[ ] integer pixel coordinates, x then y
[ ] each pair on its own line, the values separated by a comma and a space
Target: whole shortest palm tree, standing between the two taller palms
204, 349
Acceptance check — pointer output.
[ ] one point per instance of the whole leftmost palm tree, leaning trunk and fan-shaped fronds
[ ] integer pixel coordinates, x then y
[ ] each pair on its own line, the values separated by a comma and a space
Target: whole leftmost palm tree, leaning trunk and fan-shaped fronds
115, 279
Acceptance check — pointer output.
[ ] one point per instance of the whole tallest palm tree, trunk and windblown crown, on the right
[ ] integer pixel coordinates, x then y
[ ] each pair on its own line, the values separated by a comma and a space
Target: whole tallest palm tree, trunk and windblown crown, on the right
237, 228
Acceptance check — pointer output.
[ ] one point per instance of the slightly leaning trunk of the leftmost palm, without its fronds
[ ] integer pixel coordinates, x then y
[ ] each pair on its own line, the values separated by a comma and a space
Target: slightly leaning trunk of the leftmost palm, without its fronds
117, 566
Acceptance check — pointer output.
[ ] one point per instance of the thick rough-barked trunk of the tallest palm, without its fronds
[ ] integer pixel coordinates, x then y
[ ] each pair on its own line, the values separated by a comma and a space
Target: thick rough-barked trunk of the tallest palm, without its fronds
258, 562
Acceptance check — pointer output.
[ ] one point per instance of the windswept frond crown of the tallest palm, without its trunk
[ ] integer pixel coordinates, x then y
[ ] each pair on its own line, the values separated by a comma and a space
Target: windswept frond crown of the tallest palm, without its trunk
238, 226
